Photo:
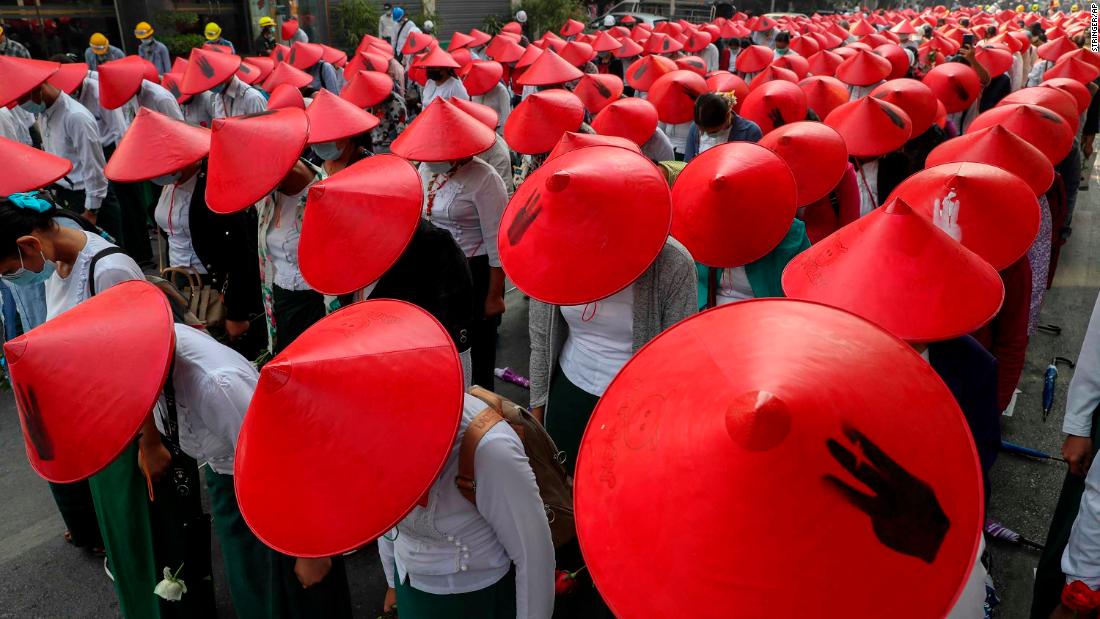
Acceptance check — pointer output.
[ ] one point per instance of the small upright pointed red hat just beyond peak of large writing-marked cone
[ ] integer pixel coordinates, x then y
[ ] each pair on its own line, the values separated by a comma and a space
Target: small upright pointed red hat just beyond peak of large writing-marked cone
871, 127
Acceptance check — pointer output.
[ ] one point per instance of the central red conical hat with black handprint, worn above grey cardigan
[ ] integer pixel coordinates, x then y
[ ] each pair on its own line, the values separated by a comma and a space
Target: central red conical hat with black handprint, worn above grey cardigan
586, 226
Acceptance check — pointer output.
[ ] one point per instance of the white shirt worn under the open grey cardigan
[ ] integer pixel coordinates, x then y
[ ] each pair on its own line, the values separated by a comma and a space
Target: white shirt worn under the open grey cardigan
600, 341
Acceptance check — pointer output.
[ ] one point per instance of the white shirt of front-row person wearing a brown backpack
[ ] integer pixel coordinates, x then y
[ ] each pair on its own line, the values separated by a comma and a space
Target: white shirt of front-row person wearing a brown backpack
453, 547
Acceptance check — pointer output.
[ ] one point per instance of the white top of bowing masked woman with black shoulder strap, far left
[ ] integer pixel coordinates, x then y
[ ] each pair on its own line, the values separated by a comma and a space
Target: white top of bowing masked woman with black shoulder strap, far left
67, 293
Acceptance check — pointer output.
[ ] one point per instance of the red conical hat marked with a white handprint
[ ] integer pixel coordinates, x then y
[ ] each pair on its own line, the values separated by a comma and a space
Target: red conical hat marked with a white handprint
999, 214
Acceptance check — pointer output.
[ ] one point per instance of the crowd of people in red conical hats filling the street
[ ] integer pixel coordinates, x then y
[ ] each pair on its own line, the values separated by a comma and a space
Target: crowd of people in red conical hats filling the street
782, 274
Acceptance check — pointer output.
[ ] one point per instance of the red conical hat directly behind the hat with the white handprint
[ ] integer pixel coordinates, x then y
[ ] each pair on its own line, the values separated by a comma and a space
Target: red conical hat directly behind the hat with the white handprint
997, 146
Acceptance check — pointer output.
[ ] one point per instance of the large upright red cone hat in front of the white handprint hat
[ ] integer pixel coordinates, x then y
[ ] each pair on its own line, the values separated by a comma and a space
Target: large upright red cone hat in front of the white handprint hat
897, 270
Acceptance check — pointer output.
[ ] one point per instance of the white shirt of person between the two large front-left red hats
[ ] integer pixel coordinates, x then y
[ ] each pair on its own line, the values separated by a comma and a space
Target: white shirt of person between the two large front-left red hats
214, 385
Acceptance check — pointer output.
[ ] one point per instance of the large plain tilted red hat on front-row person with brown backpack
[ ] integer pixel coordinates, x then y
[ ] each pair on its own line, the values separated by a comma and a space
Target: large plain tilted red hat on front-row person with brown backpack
343, 388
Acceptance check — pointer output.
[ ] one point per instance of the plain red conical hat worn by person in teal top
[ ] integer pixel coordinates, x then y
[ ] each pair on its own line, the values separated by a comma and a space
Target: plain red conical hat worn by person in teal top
733, 204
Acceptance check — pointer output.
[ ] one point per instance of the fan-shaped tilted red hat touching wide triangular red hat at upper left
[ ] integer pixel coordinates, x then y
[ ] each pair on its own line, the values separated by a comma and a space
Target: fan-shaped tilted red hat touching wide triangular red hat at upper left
238, 179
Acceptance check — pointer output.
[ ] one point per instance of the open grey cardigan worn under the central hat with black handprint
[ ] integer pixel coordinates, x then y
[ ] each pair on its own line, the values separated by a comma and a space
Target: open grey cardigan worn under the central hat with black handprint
663, 296
